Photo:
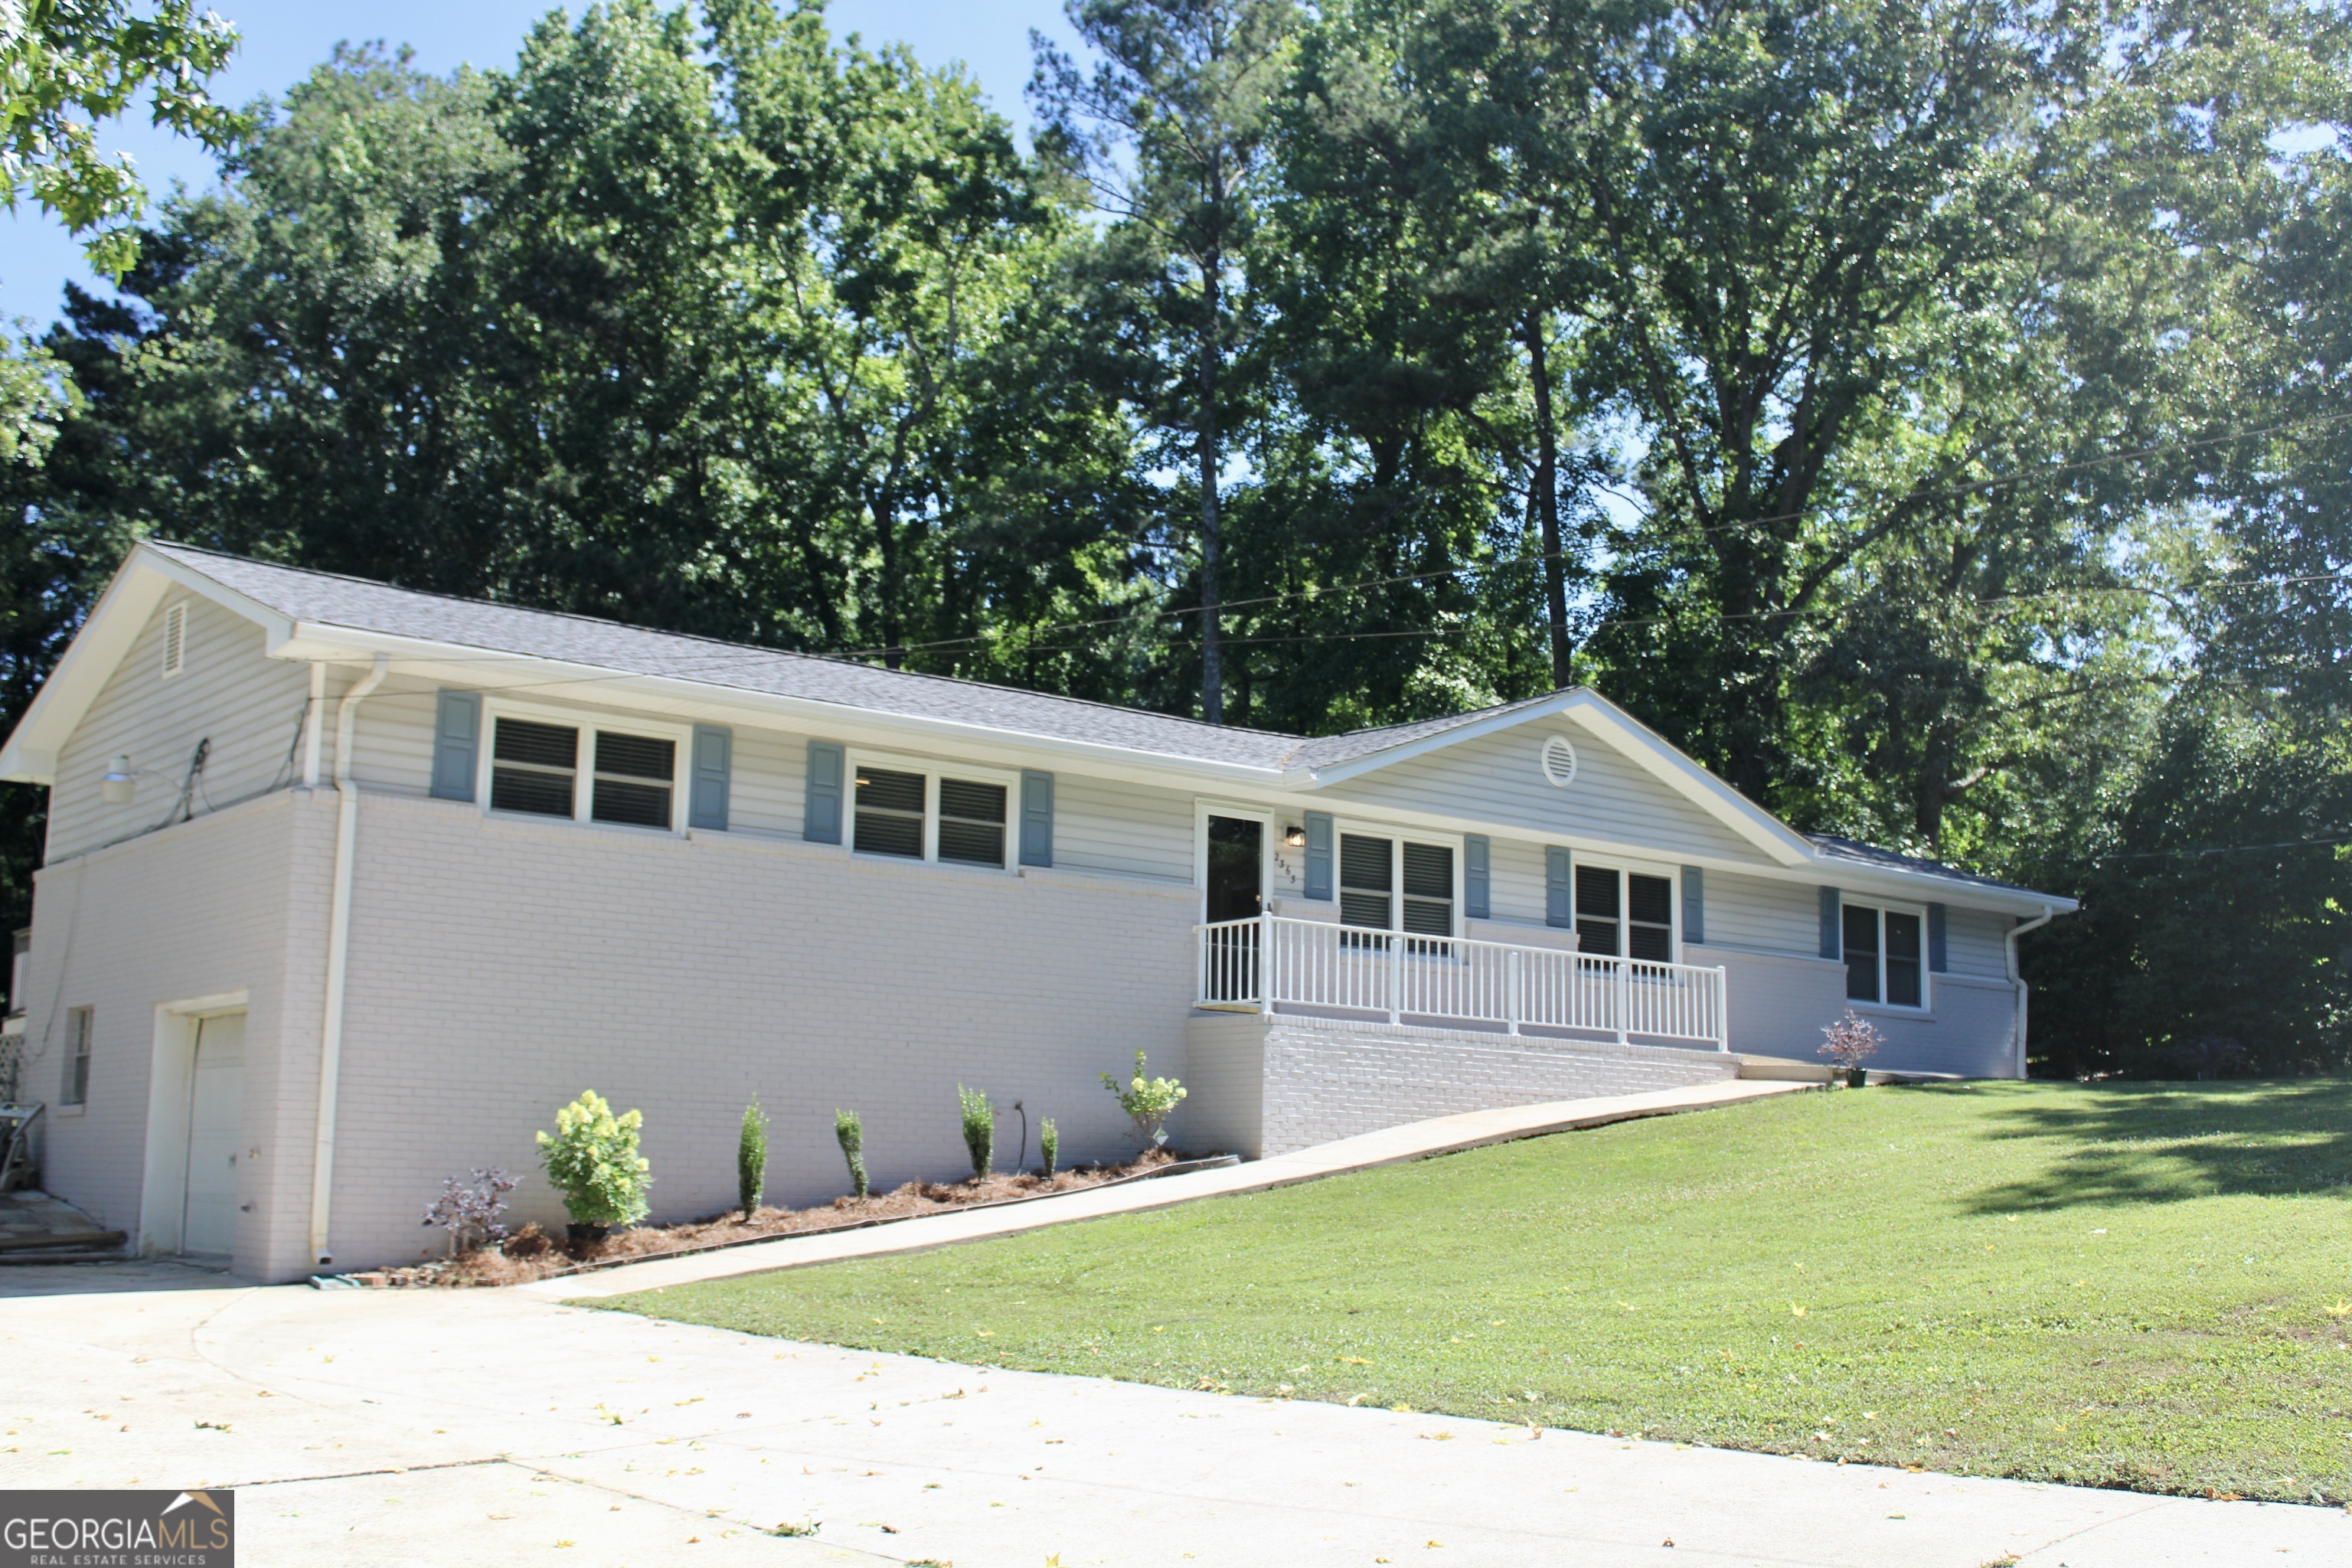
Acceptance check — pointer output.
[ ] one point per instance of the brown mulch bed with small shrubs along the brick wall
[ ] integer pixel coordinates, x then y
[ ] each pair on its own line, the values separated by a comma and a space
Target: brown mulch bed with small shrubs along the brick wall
535, 1254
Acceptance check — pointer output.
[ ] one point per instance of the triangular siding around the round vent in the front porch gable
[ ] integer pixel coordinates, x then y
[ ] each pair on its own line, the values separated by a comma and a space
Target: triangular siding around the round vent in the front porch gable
1502, 782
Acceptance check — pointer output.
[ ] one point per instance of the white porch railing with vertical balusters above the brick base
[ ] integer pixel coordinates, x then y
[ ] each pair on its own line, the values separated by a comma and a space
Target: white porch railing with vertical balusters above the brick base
1269, 960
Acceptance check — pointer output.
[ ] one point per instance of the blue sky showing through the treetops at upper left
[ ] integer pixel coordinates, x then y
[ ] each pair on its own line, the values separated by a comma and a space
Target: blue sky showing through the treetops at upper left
283, 39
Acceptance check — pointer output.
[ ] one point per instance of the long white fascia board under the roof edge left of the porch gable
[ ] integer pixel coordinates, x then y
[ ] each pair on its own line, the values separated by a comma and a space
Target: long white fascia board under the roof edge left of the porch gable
669, 695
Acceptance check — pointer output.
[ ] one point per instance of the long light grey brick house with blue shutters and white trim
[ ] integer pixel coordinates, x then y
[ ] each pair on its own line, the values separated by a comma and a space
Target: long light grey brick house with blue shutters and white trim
352, 887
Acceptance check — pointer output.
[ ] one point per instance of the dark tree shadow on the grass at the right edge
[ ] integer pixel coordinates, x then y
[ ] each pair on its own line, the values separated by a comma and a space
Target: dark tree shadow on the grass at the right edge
2167, 1144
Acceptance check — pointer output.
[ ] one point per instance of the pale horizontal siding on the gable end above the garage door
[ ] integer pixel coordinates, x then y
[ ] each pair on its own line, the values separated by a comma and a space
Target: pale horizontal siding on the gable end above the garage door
246, 704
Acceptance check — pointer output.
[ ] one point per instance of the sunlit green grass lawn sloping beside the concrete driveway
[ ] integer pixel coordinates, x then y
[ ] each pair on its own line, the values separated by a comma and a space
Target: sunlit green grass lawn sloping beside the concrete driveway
2123, 1287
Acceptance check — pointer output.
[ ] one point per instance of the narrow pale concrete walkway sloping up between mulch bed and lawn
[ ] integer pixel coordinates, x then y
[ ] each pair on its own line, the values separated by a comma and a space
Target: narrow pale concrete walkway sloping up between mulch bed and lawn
1363, 1153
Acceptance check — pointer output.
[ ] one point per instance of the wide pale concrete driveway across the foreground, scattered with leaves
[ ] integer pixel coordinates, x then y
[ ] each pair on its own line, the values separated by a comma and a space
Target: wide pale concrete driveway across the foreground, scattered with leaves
500, 1428
